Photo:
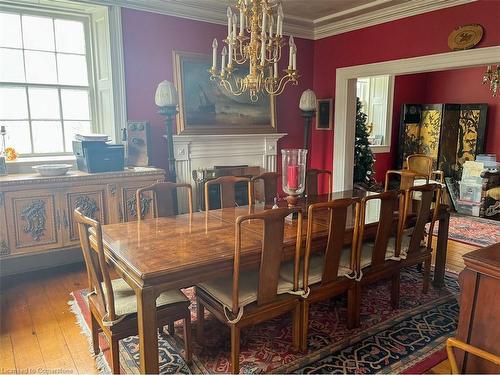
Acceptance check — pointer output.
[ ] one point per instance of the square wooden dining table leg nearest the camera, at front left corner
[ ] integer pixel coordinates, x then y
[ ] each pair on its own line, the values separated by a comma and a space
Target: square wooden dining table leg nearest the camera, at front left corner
147, 325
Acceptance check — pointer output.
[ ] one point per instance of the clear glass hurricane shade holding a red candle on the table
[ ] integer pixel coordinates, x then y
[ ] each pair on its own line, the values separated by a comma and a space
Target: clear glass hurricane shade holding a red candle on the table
293, 163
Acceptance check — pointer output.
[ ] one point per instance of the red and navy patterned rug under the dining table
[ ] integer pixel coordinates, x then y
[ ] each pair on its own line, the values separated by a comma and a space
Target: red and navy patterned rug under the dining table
407, 340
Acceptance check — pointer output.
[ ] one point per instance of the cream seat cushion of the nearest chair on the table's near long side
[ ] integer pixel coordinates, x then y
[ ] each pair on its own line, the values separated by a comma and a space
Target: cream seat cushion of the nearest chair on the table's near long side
222, 289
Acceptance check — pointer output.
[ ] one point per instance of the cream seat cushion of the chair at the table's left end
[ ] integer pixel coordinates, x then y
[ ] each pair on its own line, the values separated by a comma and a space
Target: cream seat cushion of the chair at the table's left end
126, 302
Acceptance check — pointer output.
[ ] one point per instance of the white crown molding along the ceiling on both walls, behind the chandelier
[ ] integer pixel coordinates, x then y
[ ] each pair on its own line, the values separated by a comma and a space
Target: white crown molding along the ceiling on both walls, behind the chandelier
214, 11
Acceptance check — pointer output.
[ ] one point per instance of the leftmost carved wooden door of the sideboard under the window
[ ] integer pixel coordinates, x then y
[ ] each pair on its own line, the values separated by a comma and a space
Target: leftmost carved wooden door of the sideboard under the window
33, 220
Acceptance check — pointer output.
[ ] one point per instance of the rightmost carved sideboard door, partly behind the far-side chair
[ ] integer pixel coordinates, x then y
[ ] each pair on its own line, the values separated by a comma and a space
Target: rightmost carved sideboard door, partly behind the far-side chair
128, 209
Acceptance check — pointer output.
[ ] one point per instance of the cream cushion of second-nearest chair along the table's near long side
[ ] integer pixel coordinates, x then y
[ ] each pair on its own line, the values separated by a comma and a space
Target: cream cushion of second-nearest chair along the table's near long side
316, 263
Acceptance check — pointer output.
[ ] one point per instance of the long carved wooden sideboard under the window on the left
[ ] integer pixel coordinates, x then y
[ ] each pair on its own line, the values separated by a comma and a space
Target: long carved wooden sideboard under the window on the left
36, 213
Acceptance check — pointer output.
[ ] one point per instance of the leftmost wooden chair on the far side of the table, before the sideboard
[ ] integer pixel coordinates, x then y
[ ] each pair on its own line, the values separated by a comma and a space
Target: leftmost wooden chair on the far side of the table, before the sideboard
163, 198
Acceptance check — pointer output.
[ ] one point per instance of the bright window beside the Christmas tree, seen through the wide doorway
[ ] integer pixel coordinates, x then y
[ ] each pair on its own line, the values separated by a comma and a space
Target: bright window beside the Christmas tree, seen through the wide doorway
376, 94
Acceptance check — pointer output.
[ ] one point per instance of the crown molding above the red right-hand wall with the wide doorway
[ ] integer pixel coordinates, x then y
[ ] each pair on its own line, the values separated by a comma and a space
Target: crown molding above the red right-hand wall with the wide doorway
328, 28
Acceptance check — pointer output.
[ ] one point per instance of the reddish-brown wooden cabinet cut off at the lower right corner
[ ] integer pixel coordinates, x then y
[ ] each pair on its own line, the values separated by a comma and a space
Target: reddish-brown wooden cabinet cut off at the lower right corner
479, 320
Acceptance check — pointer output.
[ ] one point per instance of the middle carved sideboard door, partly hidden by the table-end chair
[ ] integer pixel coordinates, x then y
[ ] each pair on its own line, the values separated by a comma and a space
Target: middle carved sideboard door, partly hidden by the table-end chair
92, 201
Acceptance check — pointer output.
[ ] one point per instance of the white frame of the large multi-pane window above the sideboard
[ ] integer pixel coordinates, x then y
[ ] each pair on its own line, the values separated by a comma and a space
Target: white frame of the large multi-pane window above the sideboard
109, 112
